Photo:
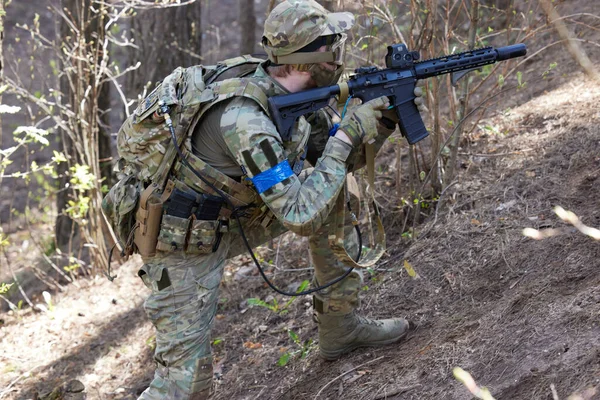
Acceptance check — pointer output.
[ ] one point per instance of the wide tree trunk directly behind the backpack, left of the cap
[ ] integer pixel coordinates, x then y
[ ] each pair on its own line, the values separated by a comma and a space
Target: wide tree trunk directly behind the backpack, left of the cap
167, 38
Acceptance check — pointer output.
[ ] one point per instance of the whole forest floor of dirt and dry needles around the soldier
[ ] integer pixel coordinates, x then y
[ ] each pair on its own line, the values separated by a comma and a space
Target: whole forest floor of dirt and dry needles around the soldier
521, 315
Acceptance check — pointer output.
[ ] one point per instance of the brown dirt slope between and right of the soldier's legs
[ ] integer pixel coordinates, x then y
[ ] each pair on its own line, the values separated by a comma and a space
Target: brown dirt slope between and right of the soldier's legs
519, 314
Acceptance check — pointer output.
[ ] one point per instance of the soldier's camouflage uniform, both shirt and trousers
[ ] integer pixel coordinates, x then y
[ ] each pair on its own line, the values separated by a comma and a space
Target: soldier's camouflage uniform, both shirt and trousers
237, 137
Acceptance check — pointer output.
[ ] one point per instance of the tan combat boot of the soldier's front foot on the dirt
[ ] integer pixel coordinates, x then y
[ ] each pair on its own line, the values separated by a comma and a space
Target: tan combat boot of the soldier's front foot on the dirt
340, 334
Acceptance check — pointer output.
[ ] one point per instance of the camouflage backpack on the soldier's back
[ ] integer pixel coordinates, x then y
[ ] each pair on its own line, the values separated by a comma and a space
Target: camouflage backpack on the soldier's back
145, 147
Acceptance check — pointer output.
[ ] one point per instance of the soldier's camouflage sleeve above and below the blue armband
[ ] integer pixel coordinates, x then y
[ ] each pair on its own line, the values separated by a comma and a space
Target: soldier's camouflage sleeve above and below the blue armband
254, 141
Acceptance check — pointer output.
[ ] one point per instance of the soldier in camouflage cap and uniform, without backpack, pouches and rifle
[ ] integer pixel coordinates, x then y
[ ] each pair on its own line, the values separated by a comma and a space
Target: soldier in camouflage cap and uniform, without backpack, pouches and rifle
305, 47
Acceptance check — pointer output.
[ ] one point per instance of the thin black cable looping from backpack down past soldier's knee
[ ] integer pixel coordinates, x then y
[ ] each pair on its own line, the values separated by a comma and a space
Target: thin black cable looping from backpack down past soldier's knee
165, 111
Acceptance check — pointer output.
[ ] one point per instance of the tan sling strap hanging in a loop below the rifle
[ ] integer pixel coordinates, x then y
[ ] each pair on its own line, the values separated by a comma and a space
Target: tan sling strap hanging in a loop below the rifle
336, 232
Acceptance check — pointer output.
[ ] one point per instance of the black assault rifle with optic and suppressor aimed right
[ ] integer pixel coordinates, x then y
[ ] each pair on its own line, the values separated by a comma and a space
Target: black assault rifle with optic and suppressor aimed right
397, 81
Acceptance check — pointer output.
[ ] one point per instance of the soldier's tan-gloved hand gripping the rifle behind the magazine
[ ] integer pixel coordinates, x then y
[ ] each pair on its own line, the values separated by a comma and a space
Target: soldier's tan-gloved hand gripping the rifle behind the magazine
361, 124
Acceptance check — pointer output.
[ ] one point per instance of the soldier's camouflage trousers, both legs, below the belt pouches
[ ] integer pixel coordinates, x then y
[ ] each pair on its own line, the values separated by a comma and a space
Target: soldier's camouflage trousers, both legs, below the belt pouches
184, 297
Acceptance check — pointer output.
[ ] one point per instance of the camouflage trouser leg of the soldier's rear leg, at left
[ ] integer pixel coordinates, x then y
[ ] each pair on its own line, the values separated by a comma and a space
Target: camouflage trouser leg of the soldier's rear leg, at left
182, 306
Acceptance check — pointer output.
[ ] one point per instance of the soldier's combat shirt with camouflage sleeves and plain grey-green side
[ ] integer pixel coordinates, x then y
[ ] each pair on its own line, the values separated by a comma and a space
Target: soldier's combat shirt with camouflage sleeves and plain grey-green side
252, 142
